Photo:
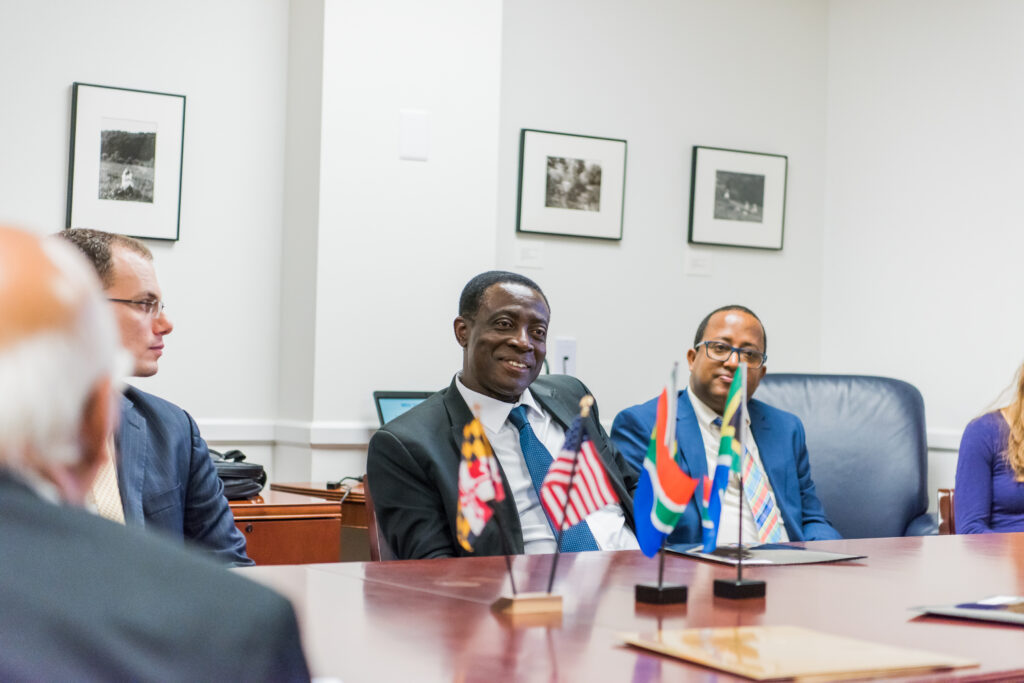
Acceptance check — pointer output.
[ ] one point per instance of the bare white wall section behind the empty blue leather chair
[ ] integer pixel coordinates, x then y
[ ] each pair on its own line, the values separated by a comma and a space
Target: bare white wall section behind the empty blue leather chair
923, 238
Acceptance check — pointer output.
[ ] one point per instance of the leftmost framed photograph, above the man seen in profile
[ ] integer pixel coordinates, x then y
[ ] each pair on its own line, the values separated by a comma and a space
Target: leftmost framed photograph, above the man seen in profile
125, 162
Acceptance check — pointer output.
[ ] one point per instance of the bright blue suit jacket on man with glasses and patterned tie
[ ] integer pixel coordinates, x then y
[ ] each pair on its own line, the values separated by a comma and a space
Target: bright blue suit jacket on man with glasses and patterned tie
783, 448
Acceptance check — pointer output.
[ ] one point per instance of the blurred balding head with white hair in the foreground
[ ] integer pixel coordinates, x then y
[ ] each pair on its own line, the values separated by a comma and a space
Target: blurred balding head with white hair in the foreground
59, 352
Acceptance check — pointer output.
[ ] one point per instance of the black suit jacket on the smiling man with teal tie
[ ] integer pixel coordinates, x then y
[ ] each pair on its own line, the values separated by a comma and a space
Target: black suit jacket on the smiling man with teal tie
413, 472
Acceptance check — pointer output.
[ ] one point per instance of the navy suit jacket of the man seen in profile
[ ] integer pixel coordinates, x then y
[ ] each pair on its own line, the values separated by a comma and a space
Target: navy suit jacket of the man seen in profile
167, 480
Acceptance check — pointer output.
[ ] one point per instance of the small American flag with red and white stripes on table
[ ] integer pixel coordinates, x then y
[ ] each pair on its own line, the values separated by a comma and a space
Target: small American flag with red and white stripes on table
591, 489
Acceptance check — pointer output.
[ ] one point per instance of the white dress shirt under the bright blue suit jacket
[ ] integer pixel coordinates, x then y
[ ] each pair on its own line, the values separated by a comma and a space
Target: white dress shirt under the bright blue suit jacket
729, 527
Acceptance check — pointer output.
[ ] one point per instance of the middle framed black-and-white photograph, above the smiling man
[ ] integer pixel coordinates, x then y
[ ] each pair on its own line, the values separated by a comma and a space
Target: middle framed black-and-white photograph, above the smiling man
571, 185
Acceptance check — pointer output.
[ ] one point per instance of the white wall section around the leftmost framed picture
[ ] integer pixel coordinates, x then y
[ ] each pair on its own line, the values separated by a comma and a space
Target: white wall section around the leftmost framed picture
221, 281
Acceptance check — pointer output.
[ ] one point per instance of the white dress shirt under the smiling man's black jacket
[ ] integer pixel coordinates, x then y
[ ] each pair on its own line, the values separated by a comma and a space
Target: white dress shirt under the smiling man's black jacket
608, 525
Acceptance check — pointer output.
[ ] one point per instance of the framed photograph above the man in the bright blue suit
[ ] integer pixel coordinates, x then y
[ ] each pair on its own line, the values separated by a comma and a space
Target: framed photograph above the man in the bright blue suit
738, 199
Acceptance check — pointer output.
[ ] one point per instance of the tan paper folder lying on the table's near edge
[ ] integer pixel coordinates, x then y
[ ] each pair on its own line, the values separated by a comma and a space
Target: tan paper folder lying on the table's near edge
772, 653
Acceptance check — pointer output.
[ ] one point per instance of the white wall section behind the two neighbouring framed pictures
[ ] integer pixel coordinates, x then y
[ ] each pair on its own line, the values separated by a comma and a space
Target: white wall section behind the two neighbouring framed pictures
666, 76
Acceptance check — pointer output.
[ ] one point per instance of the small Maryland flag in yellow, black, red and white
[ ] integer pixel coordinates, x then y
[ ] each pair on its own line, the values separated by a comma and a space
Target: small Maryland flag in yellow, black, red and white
480, 483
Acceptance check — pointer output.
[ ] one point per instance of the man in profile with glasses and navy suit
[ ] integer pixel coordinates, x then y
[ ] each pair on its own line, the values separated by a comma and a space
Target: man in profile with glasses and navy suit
165, 478
